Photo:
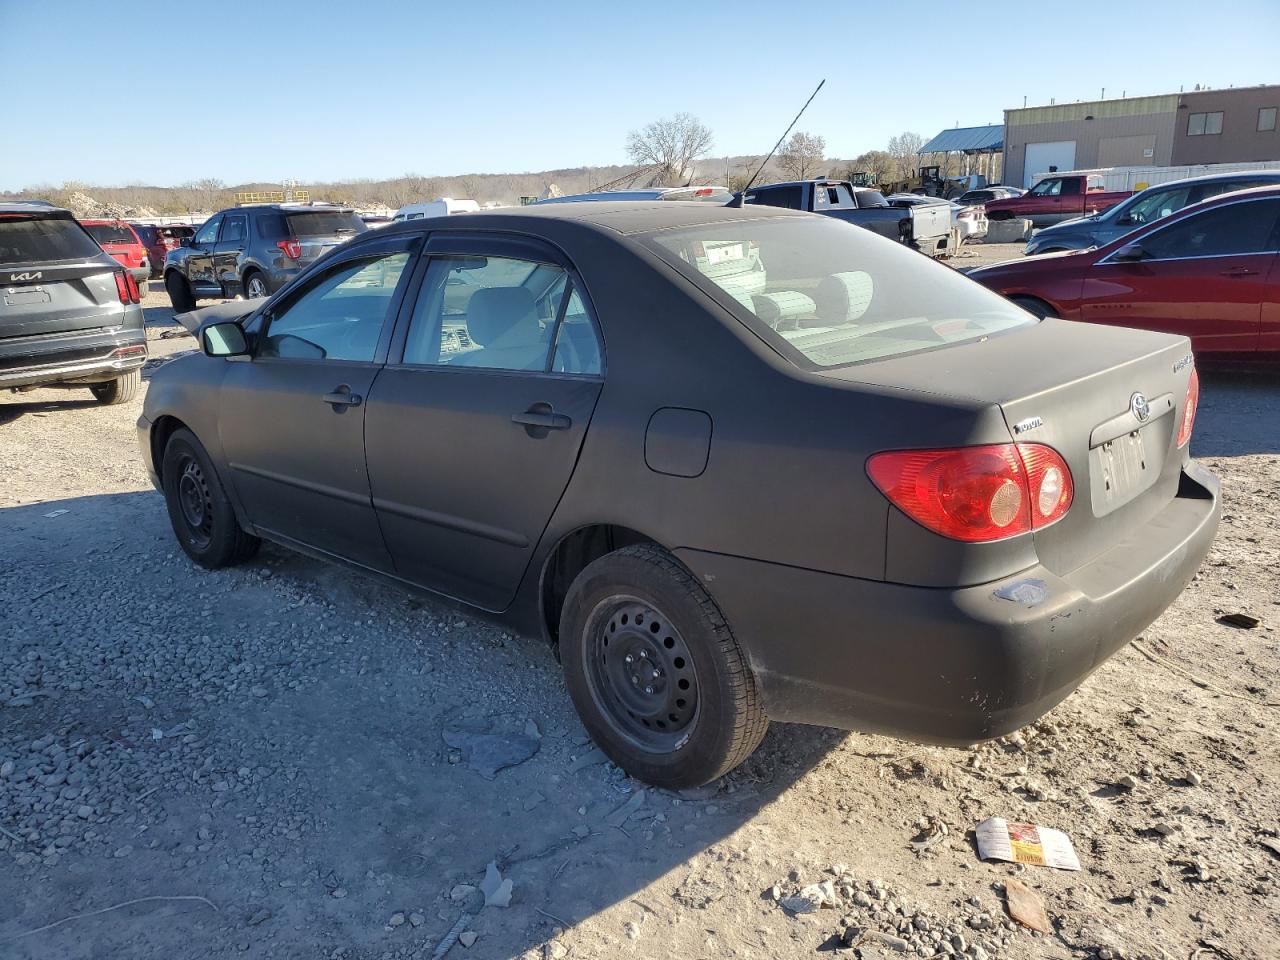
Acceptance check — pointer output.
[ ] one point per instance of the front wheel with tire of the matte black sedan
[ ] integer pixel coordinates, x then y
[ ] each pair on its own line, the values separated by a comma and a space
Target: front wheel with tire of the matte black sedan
202, 514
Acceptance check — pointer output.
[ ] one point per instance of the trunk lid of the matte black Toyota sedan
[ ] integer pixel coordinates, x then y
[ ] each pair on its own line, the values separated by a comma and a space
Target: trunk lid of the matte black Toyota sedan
1076, 388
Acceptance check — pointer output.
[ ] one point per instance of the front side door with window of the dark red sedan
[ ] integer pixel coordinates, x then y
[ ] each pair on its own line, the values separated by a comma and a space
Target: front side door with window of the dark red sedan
1203, 276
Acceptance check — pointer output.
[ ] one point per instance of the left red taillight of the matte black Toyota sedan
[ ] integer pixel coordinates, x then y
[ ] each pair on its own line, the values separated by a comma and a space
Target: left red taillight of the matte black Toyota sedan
977, 493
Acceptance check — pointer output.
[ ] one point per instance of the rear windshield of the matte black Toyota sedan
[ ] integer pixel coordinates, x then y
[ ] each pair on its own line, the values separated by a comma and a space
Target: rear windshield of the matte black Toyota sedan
828, 294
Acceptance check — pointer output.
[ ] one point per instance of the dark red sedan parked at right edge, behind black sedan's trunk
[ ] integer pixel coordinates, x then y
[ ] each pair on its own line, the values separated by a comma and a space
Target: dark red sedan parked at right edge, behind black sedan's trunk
1210, 272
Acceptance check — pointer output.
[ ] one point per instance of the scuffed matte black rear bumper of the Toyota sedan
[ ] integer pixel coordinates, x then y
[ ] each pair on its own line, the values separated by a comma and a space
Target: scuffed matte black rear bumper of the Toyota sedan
954, 666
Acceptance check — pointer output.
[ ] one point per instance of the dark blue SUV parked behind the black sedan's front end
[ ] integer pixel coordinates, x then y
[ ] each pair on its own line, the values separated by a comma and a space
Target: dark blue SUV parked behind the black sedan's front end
253, 252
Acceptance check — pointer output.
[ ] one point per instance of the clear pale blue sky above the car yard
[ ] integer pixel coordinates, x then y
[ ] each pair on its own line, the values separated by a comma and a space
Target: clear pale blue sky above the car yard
176, 90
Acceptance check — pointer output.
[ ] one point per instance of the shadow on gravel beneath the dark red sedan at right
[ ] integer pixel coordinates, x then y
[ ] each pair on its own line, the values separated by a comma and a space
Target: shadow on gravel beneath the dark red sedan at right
1240, 414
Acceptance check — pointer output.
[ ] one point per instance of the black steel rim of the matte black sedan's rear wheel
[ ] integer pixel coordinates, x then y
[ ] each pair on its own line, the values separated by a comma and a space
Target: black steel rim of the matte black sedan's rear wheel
641, 674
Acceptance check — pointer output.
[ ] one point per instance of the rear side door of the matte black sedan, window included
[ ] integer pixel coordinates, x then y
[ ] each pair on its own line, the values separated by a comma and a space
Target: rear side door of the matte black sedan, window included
474, 427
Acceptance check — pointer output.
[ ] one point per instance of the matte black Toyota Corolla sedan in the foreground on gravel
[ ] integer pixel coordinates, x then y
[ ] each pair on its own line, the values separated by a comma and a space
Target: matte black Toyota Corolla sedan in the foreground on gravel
735, 464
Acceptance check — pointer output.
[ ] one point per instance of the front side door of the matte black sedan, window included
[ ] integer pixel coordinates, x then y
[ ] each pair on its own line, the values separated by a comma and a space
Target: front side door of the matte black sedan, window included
292, 418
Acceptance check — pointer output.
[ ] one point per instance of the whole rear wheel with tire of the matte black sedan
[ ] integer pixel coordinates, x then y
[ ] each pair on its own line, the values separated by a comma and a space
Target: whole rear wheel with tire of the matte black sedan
655, 673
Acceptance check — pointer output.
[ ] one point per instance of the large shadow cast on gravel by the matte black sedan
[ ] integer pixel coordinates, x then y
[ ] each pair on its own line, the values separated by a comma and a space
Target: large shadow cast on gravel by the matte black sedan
272, 739
